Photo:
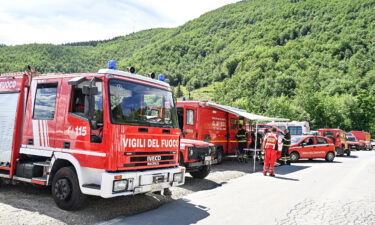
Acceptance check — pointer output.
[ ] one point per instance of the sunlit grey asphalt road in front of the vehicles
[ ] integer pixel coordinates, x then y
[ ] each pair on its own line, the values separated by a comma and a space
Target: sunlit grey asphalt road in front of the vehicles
308, 192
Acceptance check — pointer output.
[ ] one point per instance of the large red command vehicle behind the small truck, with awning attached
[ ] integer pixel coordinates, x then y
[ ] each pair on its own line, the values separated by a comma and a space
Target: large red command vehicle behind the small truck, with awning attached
210, 122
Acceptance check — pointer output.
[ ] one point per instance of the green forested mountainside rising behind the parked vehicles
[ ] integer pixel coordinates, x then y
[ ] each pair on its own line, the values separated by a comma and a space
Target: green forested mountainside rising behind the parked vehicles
307, 60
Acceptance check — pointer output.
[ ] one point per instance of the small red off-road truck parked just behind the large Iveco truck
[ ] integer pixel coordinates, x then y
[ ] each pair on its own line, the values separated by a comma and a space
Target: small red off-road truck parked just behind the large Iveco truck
197, 157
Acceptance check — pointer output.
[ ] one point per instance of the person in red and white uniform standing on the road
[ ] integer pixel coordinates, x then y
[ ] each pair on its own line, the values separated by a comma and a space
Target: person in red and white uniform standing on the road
270, 147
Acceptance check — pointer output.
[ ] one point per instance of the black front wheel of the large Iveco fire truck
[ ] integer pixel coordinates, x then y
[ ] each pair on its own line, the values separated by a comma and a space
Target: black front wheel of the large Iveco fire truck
65, 189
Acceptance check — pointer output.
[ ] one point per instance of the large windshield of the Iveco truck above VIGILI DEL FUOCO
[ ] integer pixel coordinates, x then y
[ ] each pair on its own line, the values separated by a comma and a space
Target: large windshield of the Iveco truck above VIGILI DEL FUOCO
137, 104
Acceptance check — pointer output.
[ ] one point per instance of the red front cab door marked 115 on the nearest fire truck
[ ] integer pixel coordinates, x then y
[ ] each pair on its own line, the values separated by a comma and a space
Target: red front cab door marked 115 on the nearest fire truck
75, 133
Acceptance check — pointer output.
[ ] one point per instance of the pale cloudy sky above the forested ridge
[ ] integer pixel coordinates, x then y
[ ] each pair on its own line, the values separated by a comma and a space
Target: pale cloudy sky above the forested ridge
63, 21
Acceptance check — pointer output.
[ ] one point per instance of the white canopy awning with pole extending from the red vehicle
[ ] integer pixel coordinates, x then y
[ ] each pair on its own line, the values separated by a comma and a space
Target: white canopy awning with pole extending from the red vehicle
249, 116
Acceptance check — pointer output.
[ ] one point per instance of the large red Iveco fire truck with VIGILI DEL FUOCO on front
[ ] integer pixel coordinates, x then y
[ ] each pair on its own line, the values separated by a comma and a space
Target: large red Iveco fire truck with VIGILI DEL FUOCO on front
89, 134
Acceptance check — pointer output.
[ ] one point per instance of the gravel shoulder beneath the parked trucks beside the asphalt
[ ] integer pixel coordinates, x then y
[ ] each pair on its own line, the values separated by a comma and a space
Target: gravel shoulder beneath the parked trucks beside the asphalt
30, 204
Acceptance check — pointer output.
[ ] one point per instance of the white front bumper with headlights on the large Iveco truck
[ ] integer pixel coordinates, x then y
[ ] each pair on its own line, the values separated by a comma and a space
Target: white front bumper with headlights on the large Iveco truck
140, 181
